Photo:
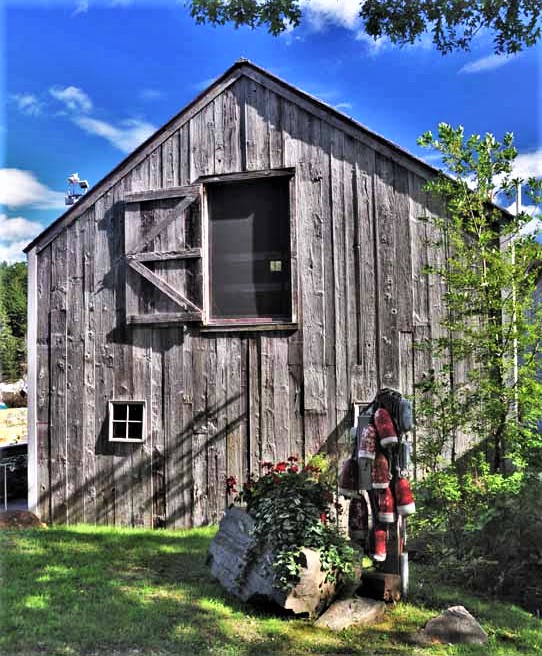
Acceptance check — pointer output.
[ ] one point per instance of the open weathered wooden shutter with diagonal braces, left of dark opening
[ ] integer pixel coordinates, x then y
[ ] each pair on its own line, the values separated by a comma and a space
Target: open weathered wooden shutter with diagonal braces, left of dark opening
162, 245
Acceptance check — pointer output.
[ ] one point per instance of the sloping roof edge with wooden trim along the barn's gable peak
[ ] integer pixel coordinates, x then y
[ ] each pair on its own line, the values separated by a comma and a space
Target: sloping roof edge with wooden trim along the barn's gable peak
240, 68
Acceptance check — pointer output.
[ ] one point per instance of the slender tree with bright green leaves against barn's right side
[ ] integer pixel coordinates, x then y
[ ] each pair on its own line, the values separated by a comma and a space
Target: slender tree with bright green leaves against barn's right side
487, 383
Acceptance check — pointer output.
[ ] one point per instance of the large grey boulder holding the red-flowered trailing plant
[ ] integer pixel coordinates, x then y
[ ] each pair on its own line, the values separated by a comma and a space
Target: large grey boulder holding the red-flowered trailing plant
250, 577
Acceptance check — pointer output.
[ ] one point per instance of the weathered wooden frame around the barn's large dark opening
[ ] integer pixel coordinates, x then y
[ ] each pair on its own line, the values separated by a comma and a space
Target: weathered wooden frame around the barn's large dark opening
250, 323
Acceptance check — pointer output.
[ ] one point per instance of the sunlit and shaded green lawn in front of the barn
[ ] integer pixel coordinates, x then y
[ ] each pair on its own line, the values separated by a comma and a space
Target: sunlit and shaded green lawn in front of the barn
97, 591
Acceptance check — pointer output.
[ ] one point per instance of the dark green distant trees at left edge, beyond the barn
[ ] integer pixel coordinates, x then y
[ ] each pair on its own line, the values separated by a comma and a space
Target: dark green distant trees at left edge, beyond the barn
12, 320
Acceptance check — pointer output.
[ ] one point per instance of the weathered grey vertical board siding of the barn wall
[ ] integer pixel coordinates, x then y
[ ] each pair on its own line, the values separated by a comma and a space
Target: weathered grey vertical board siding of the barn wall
220, 402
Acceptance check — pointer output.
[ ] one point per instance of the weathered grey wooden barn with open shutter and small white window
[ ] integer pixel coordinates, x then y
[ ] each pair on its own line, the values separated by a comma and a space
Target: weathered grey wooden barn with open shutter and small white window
224, 296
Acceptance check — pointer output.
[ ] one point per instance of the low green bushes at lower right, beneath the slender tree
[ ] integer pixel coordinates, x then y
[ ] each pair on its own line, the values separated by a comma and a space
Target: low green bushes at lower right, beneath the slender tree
484, 531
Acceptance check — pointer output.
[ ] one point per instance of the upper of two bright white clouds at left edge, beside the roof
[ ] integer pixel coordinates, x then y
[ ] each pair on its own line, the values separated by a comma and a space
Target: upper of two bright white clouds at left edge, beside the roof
20, 188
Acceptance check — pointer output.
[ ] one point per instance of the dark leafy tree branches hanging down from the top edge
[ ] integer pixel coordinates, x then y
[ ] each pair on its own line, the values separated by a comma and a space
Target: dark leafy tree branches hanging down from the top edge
515, 24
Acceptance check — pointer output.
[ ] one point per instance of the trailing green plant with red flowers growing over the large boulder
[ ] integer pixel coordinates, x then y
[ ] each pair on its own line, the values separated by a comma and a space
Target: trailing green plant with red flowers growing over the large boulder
292, 508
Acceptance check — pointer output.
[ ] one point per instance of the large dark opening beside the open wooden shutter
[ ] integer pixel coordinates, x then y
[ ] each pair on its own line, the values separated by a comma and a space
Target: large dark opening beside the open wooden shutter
249, 250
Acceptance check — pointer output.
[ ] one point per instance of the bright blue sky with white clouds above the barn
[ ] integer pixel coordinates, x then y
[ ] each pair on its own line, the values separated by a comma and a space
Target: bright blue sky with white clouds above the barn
85, 81
